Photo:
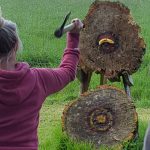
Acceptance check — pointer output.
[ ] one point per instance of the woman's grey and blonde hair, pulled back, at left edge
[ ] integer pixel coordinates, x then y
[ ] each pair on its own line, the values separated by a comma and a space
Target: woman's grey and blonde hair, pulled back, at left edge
9, 39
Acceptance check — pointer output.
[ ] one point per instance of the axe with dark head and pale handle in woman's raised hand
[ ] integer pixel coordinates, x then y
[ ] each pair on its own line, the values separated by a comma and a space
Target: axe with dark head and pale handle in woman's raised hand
63, 29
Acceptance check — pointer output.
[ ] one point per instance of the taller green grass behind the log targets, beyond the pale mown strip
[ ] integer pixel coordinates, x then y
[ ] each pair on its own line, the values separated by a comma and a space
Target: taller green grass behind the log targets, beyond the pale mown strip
37, 20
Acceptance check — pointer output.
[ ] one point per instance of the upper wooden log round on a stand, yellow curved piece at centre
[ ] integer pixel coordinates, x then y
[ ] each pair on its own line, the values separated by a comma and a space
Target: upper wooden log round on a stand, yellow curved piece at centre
110, 42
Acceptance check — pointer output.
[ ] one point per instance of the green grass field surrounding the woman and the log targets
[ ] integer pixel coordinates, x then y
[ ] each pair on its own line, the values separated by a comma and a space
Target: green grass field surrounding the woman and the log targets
37, 20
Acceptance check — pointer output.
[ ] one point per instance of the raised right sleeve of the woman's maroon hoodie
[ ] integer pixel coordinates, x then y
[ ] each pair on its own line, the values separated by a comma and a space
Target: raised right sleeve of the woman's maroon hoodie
53, 80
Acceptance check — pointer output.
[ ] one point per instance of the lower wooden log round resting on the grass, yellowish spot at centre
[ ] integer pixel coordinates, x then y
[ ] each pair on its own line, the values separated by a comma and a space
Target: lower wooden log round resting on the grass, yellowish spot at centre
105, 116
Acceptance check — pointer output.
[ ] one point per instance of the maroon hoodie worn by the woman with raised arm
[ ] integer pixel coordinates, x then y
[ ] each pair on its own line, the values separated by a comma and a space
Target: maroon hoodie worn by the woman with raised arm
22, 93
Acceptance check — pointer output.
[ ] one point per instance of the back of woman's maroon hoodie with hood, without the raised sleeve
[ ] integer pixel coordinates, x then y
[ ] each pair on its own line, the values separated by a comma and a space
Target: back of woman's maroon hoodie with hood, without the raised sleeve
20, 101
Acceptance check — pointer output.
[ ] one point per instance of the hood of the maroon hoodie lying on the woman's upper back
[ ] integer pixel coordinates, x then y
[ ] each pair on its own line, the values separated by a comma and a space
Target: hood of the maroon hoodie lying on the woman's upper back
14, 85
